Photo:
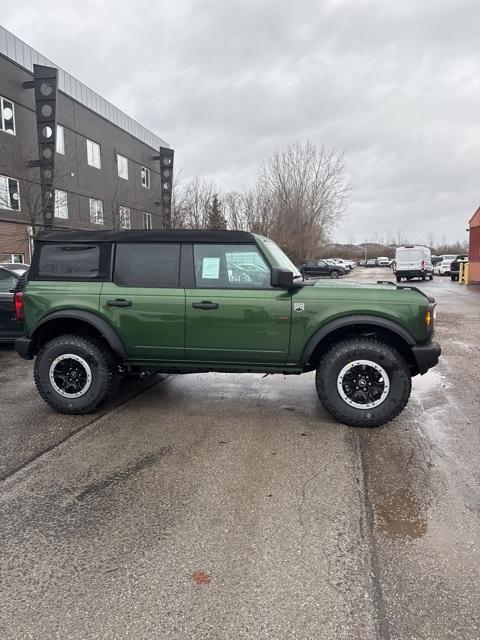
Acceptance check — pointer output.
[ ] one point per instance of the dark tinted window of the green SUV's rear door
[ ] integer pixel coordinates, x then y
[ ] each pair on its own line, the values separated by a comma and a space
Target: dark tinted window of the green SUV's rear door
147, 265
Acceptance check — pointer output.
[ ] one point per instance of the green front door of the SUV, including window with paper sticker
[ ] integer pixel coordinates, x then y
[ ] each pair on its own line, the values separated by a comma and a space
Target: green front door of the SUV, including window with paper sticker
234, 315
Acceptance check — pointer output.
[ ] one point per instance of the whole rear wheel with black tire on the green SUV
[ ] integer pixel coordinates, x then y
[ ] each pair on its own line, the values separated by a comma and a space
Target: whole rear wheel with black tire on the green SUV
75, 375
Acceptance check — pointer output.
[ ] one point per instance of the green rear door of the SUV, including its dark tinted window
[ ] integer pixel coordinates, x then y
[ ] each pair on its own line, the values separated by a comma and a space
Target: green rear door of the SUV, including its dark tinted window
145, 303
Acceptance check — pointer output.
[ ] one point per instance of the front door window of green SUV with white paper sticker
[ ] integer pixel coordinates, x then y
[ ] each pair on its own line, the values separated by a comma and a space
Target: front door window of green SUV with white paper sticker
230, 266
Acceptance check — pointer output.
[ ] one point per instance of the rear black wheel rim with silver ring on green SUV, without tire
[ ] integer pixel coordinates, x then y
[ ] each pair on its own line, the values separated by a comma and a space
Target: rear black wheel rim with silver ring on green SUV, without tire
70, 375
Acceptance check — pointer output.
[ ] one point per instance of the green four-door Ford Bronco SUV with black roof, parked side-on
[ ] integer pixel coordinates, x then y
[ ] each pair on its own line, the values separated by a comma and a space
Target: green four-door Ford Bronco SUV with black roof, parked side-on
99, 304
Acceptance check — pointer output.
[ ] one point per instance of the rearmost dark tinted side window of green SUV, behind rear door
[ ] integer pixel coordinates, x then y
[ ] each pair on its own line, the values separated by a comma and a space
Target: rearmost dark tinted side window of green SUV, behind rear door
69, 261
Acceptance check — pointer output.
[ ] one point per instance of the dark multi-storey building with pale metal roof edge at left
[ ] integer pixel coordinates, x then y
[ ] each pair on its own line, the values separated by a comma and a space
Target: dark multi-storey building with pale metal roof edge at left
107, 165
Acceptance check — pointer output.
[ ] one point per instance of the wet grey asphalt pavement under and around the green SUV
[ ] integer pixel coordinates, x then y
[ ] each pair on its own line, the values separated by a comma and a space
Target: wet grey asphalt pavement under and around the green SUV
232, 506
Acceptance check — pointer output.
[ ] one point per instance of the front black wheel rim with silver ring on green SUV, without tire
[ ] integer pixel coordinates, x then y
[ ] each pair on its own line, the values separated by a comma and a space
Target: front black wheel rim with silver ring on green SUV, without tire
363, 384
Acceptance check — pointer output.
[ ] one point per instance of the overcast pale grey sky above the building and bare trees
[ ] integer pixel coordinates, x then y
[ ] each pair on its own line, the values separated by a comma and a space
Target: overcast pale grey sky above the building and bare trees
395, 84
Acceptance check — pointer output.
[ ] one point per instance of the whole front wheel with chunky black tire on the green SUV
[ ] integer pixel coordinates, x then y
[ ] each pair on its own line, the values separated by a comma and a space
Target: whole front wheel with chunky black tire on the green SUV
363, 382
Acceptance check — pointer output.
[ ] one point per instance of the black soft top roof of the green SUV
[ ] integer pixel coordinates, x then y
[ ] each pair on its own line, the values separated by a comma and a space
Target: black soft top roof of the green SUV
148, 235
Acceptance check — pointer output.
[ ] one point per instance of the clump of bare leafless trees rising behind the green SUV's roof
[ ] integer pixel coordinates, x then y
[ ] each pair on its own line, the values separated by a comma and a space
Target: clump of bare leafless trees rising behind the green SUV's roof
299, 197
